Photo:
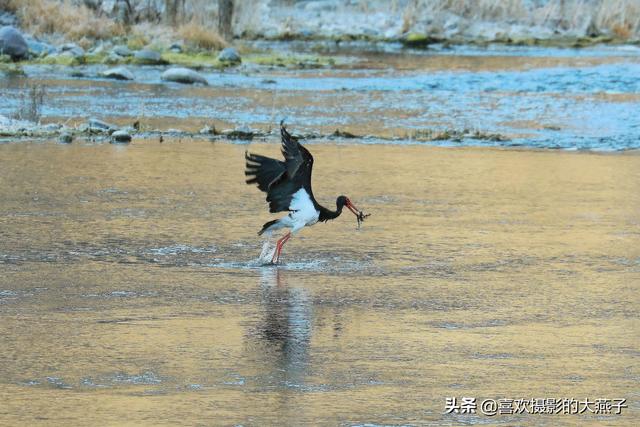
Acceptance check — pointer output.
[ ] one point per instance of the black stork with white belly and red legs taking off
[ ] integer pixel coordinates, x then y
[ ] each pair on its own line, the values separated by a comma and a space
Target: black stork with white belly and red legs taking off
288, 187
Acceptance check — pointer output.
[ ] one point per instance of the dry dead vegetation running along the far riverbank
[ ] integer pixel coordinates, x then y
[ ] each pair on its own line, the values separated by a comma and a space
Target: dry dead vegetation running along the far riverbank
196, 21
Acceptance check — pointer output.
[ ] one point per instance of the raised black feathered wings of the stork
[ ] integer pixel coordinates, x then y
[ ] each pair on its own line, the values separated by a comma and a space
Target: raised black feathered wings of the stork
280, 180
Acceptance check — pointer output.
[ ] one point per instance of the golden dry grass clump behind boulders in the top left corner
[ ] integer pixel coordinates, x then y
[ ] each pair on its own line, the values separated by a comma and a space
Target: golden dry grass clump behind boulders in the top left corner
74, 22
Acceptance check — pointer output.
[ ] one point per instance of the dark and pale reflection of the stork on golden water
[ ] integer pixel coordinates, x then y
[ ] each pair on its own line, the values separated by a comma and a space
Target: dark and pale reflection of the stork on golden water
285, 331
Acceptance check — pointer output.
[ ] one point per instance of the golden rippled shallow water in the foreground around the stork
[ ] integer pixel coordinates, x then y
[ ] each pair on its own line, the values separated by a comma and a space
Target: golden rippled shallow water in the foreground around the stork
130, 293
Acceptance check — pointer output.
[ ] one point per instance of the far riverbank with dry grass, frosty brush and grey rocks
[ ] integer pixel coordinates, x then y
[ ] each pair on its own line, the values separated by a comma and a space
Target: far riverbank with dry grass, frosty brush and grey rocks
143, 32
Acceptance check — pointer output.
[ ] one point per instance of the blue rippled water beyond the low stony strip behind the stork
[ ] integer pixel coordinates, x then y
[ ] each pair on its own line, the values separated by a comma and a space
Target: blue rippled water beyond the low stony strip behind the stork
547, 98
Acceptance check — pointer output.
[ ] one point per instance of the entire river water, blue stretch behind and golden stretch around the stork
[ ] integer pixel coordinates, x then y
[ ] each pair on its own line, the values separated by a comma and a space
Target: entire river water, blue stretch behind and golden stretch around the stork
131, 293
